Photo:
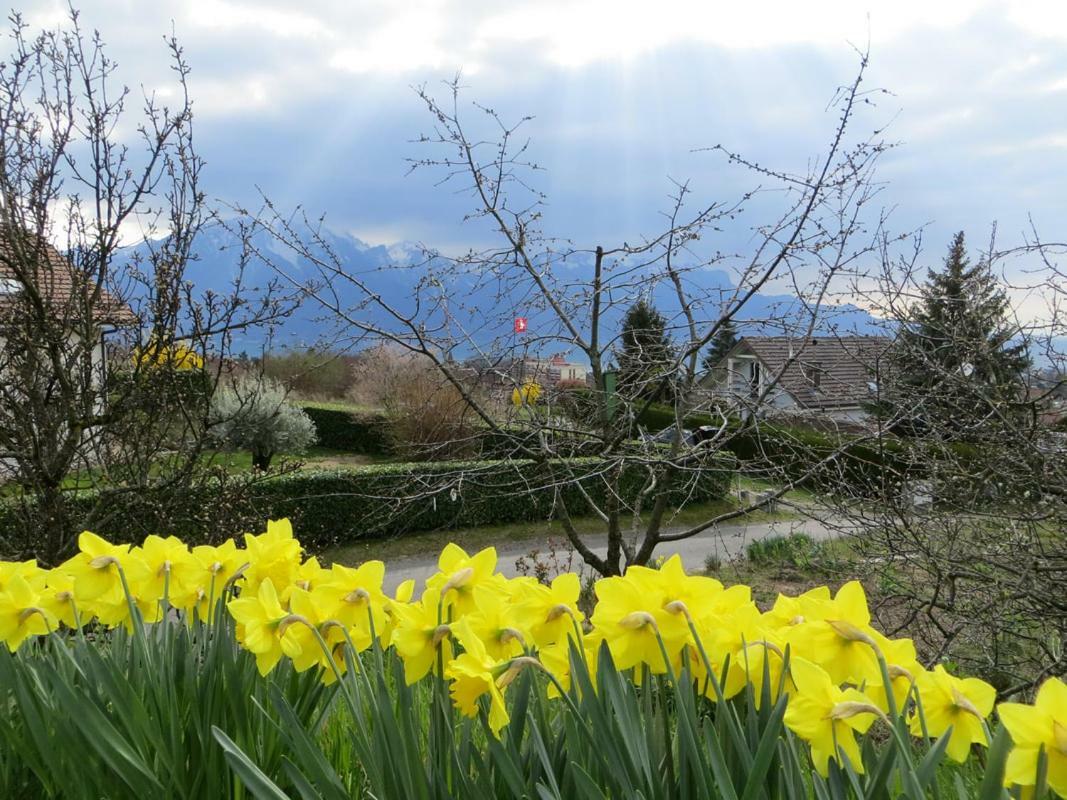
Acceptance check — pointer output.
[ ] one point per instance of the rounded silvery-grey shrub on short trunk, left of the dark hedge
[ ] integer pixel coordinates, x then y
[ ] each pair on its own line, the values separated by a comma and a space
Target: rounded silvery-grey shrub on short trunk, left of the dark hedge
254, 414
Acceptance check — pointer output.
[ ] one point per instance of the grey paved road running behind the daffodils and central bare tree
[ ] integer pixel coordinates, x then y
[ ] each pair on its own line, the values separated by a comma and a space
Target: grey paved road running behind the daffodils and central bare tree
727, 541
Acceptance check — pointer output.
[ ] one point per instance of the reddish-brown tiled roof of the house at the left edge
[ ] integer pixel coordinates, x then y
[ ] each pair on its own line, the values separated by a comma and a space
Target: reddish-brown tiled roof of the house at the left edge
57, 280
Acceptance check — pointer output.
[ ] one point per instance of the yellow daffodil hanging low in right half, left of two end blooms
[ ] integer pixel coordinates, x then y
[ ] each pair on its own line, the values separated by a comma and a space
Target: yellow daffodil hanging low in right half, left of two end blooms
827, 717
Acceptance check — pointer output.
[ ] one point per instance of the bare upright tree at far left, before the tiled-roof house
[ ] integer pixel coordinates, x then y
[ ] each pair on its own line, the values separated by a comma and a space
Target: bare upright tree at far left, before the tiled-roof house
109, 361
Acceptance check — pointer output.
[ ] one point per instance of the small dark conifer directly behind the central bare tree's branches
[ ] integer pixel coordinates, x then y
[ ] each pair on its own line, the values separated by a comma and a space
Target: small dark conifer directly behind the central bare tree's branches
647, 357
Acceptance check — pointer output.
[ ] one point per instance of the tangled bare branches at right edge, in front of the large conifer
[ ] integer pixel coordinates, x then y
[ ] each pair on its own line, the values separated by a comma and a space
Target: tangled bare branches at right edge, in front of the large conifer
965, 537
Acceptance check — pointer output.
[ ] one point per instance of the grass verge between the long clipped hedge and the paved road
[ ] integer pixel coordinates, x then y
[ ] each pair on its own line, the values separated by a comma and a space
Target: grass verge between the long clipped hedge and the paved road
474, 539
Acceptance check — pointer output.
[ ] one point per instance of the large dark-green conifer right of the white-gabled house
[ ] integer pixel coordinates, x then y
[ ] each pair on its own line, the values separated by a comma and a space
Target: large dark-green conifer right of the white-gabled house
955, 365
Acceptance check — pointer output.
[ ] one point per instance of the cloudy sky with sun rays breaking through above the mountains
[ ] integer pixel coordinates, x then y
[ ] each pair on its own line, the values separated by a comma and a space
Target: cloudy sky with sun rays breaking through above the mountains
313, 101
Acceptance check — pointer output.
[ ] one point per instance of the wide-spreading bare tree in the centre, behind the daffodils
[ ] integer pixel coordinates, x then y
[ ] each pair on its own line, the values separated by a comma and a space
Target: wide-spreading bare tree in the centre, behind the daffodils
459, 317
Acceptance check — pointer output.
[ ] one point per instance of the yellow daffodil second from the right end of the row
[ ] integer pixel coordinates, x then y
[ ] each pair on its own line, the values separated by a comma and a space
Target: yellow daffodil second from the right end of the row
962, 705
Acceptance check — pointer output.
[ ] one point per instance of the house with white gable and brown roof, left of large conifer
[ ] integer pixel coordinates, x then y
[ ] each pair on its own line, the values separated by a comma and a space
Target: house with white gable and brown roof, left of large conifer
826, 377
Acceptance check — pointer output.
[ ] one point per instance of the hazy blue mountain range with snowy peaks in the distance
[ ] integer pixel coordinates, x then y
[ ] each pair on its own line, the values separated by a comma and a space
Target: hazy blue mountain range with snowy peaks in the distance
486, 308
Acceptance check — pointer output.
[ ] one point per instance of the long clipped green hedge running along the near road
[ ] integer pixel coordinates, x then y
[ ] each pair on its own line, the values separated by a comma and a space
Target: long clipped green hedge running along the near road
339, 506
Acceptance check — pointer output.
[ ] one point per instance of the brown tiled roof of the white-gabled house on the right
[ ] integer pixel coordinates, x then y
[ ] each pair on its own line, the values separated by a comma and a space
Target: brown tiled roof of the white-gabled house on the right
846, 366
